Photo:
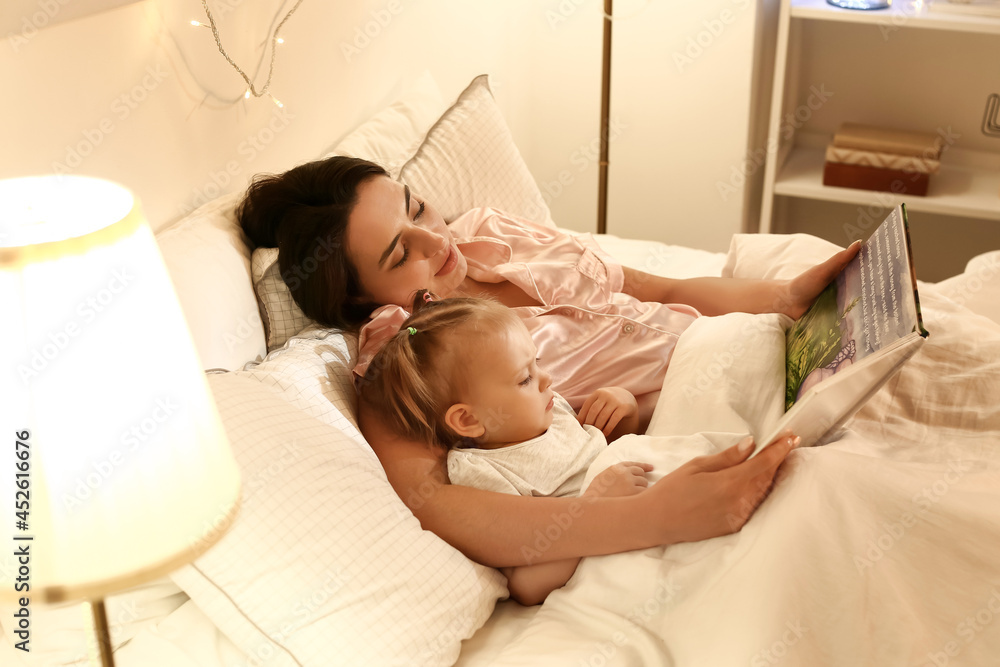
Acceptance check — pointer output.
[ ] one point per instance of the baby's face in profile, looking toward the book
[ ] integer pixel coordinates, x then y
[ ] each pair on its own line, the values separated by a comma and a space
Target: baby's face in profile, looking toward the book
509, 394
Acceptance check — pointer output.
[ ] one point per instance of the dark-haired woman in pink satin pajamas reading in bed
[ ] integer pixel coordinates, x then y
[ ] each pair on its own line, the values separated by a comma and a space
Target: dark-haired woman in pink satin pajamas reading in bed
372, 244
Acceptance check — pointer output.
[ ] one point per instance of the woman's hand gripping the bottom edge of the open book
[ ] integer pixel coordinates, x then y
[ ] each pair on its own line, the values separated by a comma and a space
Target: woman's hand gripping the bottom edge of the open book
715, 495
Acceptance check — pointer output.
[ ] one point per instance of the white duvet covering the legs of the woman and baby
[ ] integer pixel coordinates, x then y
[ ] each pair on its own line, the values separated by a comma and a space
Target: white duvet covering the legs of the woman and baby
881, 548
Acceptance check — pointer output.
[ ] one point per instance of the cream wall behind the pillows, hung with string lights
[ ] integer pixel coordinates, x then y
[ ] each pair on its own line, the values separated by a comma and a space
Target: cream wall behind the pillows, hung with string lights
136, 95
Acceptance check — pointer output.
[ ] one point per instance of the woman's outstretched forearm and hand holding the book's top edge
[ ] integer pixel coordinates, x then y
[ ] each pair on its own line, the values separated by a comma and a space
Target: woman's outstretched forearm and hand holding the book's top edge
715, 296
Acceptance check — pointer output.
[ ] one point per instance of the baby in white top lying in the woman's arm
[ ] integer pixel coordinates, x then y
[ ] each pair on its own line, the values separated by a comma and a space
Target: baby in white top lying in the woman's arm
464, 372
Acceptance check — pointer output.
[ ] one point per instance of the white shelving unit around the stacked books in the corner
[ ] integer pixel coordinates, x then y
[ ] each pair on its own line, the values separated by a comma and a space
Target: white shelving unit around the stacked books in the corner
908, 67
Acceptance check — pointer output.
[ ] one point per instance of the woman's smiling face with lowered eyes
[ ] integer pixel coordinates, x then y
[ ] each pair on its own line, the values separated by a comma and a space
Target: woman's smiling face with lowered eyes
399, 244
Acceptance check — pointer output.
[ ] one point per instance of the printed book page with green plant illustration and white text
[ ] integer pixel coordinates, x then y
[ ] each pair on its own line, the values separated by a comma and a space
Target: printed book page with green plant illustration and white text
869, 306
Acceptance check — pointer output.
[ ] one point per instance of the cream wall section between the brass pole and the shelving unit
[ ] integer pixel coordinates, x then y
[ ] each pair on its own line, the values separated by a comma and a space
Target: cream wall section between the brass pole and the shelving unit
688, 107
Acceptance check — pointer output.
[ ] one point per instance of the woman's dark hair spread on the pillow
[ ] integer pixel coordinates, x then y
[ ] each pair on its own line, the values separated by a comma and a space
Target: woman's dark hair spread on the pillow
303, 213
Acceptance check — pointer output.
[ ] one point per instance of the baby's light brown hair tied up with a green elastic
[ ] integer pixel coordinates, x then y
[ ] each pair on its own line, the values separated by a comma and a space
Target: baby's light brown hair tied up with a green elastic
418, 373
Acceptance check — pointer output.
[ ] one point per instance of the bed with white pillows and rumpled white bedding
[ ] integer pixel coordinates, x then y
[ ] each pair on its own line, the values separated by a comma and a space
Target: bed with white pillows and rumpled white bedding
880, 548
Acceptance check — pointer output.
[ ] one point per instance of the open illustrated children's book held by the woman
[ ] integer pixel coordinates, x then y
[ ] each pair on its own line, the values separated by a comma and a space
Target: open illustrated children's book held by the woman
859, 332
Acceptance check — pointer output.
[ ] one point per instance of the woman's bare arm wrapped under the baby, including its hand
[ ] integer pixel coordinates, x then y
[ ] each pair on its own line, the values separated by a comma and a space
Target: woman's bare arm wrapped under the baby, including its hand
707, 497
